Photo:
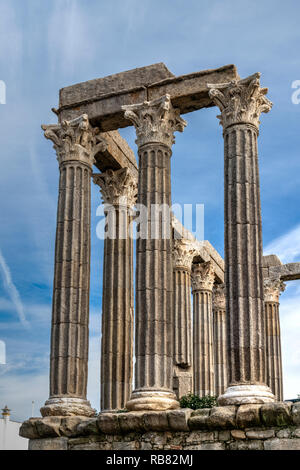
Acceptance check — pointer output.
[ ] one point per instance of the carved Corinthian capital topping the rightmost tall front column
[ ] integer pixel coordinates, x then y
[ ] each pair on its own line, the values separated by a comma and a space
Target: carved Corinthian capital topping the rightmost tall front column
240, 101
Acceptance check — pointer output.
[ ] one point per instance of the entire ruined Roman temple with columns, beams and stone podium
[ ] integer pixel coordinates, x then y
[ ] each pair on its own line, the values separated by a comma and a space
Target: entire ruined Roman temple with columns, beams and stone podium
199, 324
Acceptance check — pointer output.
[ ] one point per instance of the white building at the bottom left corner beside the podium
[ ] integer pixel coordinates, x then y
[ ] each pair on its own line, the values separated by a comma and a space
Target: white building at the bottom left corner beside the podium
9, 433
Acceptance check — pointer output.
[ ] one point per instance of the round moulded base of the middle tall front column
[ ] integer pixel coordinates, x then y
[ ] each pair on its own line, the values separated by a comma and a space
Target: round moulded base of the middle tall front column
154, 400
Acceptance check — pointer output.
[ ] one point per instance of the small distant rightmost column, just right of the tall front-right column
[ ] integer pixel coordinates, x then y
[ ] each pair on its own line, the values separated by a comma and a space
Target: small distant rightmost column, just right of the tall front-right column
272, 291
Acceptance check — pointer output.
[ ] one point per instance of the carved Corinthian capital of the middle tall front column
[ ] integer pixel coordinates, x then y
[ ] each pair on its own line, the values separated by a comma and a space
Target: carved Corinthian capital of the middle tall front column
155, 121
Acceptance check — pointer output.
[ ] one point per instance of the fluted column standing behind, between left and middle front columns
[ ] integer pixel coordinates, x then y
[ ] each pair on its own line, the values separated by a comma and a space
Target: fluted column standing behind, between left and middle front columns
119, 191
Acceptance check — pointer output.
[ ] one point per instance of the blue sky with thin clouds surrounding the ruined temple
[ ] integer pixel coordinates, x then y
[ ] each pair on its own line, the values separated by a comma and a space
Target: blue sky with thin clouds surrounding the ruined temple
47, 45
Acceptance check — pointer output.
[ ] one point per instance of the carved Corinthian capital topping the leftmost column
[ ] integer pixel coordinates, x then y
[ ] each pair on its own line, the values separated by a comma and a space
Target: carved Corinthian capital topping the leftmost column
75, 140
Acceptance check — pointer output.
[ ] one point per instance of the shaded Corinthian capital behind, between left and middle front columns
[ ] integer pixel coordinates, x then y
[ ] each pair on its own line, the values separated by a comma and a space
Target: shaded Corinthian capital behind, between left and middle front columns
117, 187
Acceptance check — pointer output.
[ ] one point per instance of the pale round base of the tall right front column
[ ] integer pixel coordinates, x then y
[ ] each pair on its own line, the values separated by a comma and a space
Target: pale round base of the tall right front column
242, 394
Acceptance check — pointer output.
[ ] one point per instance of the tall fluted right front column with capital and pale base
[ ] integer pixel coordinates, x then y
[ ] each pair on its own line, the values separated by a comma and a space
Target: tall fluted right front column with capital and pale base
241, 103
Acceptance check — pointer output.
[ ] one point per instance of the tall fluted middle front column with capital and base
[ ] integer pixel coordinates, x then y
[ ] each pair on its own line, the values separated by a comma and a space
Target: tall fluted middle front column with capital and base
155, 124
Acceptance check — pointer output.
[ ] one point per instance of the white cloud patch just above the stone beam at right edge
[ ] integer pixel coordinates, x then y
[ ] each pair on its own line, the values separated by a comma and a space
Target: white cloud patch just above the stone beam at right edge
286, 247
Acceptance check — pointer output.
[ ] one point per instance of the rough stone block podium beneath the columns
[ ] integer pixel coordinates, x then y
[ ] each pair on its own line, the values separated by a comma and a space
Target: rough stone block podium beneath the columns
273, 426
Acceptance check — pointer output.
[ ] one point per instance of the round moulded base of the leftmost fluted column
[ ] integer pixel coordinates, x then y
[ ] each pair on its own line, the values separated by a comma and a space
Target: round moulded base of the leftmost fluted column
67, 406
